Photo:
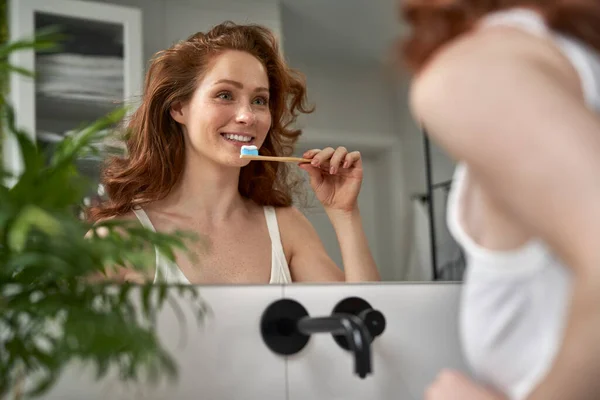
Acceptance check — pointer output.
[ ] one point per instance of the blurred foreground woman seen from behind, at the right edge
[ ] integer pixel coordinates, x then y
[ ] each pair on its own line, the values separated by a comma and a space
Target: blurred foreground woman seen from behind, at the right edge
511, 89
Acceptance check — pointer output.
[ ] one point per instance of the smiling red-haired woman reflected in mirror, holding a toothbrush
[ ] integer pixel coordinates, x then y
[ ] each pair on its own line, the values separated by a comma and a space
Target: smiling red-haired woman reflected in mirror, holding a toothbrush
203, 99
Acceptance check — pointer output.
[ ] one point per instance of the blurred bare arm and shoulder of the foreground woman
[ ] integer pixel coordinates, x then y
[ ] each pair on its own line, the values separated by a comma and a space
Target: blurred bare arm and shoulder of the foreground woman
514, 114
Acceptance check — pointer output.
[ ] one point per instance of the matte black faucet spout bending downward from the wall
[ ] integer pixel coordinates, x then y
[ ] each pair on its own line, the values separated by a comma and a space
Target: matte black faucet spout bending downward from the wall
352, 327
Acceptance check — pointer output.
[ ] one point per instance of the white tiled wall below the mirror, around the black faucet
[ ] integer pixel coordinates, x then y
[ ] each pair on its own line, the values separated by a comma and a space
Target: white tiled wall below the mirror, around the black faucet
226, 358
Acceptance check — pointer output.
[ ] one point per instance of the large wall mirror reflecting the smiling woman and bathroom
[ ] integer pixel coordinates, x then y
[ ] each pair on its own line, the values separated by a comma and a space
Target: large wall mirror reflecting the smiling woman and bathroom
371, 209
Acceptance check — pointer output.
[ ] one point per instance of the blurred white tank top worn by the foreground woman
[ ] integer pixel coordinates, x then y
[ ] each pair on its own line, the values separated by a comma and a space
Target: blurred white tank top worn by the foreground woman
514, 303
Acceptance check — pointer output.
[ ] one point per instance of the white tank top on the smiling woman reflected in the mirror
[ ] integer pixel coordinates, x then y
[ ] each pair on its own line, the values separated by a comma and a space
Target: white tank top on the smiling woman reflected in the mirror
169, 272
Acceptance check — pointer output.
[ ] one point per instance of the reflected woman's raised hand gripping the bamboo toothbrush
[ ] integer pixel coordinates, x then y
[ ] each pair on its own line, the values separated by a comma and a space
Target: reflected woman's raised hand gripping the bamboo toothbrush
335, 176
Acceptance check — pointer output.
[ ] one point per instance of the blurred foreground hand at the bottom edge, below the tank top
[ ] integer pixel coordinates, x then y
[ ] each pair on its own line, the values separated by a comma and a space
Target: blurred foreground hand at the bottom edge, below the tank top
451, 385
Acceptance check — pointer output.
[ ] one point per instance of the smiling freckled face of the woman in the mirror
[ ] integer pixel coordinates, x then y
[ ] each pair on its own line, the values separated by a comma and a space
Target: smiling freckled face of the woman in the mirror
229, 109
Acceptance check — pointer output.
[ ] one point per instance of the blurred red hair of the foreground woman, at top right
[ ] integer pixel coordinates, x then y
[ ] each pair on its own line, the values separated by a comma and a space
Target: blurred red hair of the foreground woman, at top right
436, 22
